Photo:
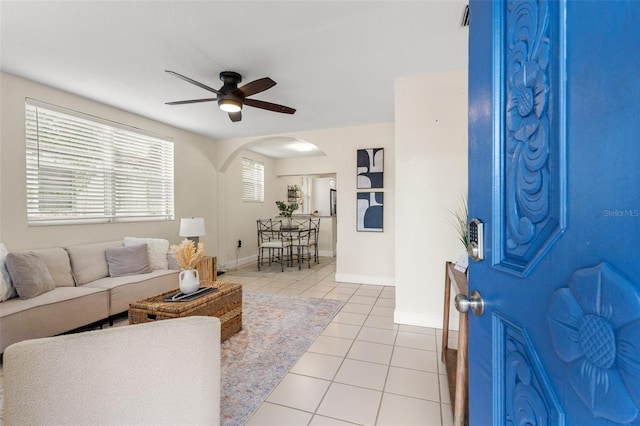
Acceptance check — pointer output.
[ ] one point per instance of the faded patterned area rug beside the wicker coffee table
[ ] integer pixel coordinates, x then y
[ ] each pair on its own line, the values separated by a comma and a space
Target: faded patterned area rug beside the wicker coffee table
276, 331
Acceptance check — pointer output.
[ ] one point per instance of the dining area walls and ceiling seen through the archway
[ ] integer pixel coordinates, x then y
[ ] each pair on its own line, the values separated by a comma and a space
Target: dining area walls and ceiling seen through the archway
285, 164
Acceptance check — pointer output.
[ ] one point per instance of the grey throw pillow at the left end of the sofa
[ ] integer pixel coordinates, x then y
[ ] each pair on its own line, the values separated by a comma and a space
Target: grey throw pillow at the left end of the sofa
29, 274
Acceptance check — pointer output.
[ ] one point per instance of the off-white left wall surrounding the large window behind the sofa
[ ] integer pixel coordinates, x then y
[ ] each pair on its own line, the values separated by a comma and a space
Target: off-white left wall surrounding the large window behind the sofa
195, 175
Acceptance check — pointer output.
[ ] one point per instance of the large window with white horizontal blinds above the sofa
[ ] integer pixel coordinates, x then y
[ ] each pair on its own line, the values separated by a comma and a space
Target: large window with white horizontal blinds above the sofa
83, 169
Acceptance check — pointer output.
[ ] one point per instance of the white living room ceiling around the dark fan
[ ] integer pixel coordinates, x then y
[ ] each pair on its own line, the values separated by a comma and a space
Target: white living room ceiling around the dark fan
334, 61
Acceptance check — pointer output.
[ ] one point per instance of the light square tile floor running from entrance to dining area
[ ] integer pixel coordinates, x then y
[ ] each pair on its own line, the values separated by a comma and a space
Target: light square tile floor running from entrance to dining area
363, 369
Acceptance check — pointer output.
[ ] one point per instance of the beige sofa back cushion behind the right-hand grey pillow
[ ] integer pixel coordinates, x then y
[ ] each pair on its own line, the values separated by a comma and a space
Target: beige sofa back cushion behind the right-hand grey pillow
88, 261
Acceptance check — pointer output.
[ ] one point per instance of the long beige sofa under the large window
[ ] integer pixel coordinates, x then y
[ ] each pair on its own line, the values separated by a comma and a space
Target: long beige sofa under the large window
84, 293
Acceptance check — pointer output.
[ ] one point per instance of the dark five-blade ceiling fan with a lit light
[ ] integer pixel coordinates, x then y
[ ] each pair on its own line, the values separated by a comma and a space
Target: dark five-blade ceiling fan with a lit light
231, 98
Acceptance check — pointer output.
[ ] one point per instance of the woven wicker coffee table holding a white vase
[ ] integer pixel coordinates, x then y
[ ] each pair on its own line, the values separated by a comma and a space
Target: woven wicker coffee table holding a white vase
226, 304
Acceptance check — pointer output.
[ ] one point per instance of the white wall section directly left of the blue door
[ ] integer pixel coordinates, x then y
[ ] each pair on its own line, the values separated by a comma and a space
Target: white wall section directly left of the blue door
431, 176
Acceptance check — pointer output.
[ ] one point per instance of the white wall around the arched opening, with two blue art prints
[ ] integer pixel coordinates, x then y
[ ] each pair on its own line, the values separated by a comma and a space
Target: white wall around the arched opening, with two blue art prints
362, 257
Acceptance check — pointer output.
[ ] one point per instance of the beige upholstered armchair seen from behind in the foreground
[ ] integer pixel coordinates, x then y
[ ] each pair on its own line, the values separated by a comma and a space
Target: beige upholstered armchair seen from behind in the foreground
161, 373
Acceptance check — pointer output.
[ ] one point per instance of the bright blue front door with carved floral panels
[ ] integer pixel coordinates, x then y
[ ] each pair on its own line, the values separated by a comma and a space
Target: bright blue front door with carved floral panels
554, 175
